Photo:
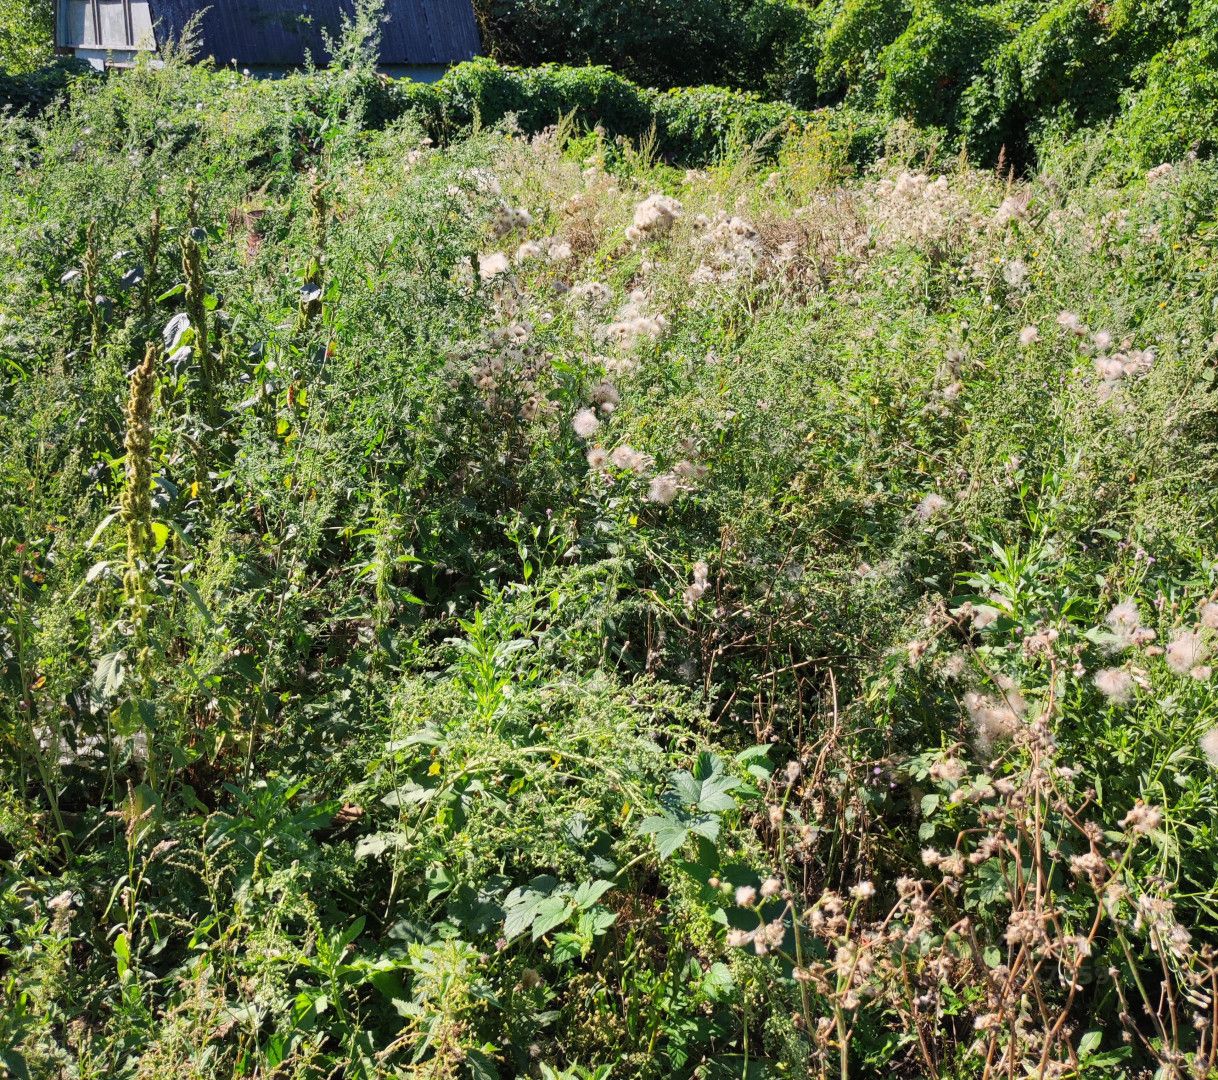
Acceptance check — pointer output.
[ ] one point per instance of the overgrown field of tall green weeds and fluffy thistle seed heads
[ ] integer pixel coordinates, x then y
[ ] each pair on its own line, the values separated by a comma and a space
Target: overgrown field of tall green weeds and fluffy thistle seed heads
523, 609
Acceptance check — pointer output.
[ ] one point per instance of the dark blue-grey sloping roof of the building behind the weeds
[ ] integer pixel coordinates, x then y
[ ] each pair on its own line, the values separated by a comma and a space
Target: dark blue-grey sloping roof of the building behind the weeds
281, 32
